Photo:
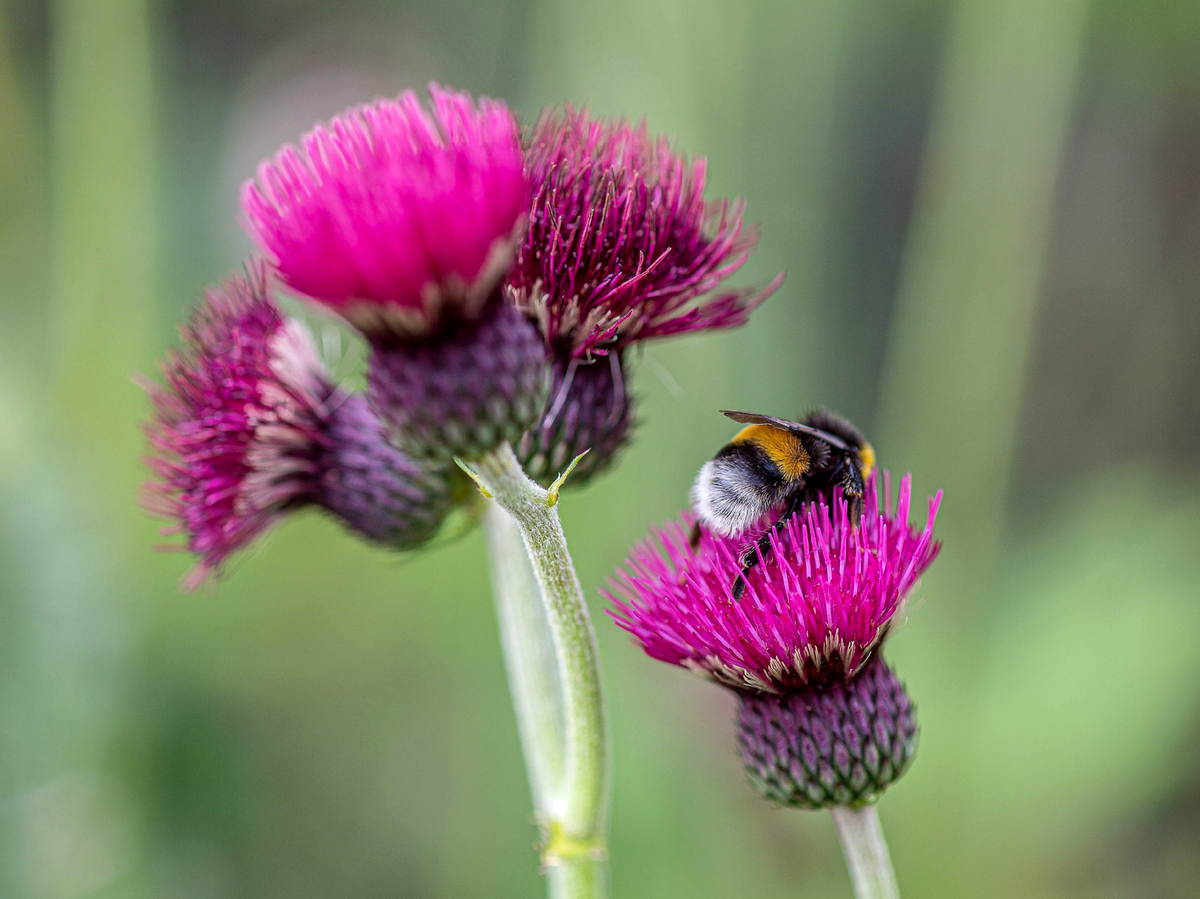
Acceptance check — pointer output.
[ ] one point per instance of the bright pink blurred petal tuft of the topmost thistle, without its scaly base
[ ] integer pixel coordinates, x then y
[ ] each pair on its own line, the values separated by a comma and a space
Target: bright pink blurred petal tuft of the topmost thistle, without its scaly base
394, 215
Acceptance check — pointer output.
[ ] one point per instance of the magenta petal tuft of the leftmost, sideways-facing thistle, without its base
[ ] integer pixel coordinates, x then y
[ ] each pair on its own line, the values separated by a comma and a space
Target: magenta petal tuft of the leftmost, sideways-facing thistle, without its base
237, 425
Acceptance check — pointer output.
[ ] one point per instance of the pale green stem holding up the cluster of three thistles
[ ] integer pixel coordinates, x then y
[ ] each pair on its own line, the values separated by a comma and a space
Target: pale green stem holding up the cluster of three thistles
573, 802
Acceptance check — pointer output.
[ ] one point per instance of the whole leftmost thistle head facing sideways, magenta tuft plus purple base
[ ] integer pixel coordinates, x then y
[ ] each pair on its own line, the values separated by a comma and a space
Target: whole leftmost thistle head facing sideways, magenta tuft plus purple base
250, 428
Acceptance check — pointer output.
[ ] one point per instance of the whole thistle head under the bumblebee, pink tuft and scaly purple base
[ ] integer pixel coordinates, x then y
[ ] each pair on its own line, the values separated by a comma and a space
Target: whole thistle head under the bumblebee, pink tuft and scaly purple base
824, 721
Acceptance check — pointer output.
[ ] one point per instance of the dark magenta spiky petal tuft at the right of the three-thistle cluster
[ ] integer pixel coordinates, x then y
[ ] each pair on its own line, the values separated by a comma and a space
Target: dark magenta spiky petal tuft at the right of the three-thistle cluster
622, 245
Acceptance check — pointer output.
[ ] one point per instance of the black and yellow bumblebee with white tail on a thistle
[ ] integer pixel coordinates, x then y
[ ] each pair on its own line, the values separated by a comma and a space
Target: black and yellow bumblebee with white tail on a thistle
776, 466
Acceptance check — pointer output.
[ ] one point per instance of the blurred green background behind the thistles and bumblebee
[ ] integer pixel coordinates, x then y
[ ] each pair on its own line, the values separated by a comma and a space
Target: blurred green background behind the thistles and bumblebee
989, 213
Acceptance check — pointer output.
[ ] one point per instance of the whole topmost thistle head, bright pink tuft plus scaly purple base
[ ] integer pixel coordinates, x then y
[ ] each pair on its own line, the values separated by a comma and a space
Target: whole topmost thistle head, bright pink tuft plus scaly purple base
404, 220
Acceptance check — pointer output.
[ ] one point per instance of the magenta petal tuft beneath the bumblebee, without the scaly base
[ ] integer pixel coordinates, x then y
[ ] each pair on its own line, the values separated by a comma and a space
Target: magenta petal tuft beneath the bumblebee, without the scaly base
815, 610
